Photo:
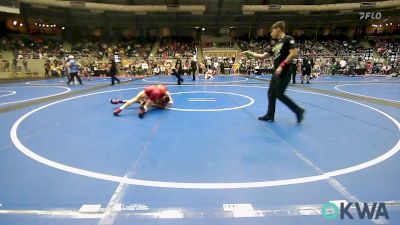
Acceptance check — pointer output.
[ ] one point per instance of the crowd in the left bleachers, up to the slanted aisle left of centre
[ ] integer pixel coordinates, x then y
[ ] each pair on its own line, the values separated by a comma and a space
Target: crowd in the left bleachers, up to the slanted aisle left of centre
89, 54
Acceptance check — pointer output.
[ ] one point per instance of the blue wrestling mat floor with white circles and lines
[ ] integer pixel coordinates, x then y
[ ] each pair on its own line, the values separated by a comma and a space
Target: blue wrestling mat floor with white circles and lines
65, 159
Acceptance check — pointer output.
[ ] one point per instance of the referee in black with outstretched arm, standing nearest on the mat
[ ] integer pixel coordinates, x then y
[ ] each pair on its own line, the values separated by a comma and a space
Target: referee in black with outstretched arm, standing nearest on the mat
283, 52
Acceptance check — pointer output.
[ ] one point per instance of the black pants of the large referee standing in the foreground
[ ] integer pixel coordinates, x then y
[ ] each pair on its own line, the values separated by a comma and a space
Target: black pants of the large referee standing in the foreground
277, 88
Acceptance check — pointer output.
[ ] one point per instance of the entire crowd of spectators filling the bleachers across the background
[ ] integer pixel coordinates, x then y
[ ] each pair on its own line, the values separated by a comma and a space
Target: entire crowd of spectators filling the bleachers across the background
329, 56
